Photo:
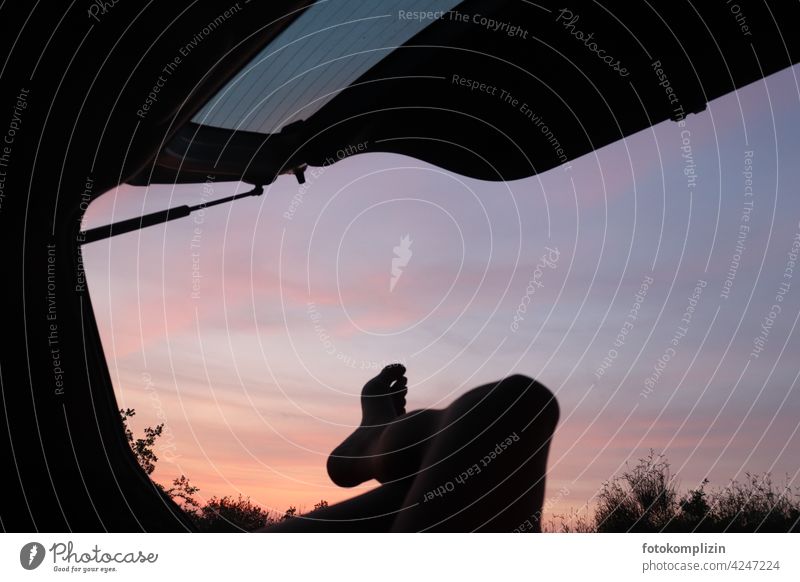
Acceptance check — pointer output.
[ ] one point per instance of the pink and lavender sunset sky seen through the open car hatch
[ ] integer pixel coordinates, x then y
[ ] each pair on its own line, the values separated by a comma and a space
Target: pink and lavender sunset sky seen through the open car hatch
256, 370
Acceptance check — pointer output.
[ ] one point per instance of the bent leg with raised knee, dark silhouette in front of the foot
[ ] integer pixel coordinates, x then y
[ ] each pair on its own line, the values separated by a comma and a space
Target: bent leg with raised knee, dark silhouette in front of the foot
485, 470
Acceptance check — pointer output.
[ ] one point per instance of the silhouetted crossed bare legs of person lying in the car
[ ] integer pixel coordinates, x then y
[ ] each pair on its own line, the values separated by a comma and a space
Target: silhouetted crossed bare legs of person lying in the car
477, 465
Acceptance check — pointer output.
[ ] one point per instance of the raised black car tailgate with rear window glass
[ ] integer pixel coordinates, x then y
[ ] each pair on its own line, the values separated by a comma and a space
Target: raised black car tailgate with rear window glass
496, 90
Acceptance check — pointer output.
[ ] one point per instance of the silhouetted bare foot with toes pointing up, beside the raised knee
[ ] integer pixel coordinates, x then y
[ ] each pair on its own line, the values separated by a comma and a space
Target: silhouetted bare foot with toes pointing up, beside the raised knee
382, 400
